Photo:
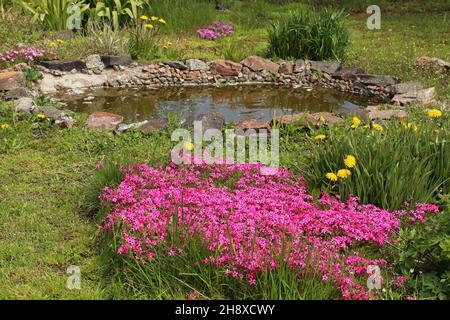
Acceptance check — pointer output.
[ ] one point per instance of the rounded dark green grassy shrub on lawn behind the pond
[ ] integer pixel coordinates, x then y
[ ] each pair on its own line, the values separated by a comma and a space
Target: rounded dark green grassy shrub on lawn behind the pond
310, 34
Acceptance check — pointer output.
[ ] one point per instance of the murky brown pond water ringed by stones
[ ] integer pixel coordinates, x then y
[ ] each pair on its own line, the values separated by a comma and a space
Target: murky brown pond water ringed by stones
234, 102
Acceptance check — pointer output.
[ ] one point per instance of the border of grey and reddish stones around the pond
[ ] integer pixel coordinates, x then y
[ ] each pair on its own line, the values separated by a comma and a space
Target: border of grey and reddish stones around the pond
98, 71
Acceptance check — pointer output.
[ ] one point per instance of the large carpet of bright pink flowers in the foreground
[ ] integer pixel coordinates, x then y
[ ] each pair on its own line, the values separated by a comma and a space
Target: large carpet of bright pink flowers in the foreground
249, 222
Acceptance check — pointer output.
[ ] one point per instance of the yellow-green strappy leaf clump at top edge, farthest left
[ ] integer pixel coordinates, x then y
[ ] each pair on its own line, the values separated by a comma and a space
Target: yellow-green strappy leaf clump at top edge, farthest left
53, 13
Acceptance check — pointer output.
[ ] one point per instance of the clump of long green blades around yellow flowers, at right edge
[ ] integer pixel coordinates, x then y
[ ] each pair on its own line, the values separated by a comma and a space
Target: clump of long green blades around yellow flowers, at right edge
393, 166
